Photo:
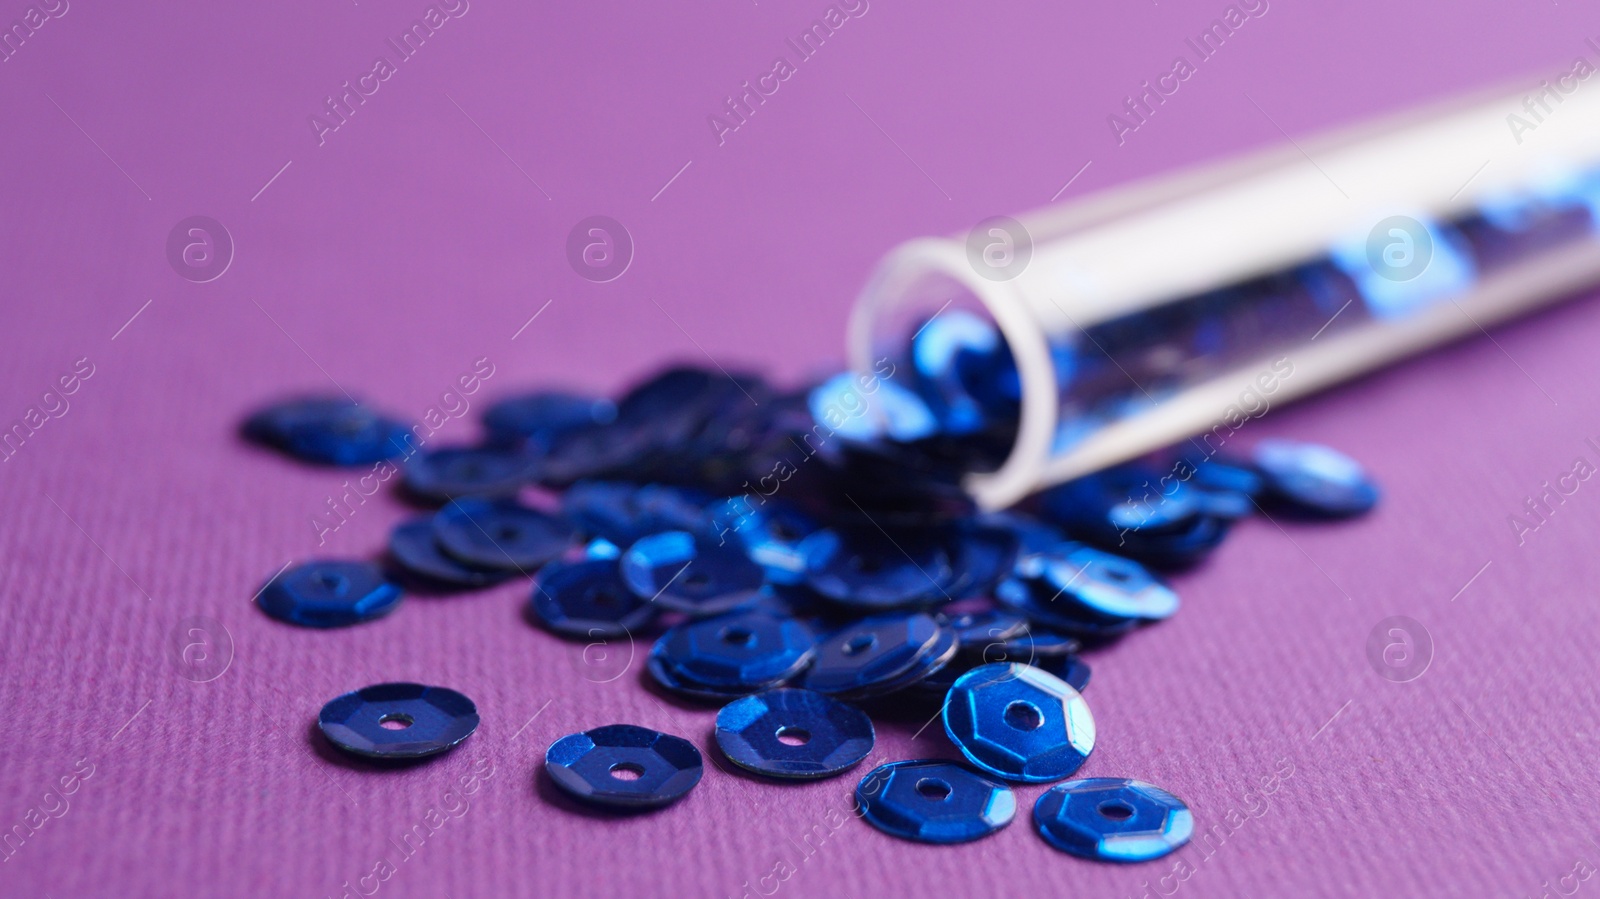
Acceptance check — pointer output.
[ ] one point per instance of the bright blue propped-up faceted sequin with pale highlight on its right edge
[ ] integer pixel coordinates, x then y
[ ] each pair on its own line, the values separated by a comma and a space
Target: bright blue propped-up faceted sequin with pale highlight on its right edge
1020, 724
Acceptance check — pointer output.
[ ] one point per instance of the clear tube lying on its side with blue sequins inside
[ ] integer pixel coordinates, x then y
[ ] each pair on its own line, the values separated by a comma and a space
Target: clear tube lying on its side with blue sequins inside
1166, 310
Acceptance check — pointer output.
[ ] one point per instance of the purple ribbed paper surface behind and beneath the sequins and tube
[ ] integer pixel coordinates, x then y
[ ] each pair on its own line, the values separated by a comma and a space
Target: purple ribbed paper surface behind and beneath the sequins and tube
417, 241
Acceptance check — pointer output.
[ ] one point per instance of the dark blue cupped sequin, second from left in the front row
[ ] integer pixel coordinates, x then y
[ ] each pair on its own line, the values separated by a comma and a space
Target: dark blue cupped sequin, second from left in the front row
625, 767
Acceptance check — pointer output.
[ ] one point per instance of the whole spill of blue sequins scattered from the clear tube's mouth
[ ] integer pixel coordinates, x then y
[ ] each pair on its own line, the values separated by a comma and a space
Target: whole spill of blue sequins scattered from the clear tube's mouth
807, 562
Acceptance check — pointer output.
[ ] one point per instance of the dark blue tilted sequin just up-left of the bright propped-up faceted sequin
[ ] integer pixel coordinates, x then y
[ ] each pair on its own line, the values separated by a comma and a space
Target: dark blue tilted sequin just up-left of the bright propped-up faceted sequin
874, 652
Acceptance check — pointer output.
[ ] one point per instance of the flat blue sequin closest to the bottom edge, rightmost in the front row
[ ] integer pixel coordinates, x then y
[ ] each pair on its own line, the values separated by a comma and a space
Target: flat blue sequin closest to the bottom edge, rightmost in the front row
1113, 820
